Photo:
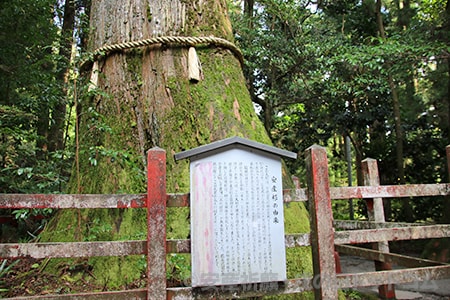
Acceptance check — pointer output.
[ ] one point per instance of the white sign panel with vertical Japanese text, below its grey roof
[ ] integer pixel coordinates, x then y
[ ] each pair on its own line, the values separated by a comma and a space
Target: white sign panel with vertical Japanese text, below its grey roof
237, 224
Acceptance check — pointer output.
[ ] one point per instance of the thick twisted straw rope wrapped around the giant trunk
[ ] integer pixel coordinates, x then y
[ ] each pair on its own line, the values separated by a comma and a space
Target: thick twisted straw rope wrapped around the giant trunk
172, 40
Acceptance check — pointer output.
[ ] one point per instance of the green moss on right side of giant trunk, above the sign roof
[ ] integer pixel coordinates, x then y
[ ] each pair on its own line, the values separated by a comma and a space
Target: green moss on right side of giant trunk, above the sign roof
203, 112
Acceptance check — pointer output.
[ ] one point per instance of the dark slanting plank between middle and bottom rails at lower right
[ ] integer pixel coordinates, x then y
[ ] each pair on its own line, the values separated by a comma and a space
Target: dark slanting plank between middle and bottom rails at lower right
401, 260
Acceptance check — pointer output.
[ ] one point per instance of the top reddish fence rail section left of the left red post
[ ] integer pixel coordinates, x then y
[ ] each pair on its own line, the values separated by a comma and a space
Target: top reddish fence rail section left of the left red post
72, 201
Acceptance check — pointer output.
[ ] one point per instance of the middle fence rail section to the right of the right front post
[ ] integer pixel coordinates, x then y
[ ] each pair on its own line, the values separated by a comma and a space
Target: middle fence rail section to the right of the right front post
391, 234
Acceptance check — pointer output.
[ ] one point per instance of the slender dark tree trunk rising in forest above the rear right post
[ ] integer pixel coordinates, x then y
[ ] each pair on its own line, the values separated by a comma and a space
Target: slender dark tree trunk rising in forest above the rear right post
399, 136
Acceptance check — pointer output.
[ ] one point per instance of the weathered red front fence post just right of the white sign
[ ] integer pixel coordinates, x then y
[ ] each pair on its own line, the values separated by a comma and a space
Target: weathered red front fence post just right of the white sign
322, 232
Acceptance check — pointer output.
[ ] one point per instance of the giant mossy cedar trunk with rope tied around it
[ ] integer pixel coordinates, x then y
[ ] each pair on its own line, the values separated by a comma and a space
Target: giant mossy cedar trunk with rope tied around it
145, 99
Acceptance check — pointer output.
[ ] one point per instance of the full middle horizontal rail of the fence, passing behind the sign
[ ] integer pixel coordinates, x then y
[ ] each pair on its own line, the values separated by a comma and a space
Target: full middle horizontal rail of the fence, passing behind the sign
124, 248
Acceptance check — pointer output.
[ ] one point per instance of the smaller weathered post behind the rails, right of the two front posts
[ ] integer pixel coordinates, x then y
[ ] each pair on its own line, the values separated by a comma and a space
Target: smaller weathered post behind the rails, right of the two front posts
375, 213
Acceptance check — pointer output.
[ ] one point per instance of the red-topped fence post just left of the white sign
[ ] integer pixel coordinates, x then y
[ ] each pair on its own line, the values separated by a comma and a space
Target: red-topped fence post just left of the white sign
156, 224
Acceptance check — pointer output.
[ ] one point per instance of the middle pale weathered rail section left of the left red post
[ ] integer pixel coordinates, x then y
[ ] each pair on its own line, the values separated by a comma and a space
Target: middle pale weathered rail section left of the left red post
73, 249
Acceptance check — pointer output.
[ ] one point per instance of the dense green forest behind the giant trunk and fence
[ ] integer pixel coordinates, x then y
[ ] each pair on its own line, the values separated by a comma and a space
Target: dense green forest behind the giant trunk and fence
369, 76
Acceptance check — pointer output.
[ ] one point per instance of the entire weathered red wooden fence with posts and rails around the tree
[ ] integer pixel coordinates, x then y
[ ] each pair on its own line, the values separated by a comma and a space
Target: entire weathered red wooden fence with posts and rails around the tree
323, 238
